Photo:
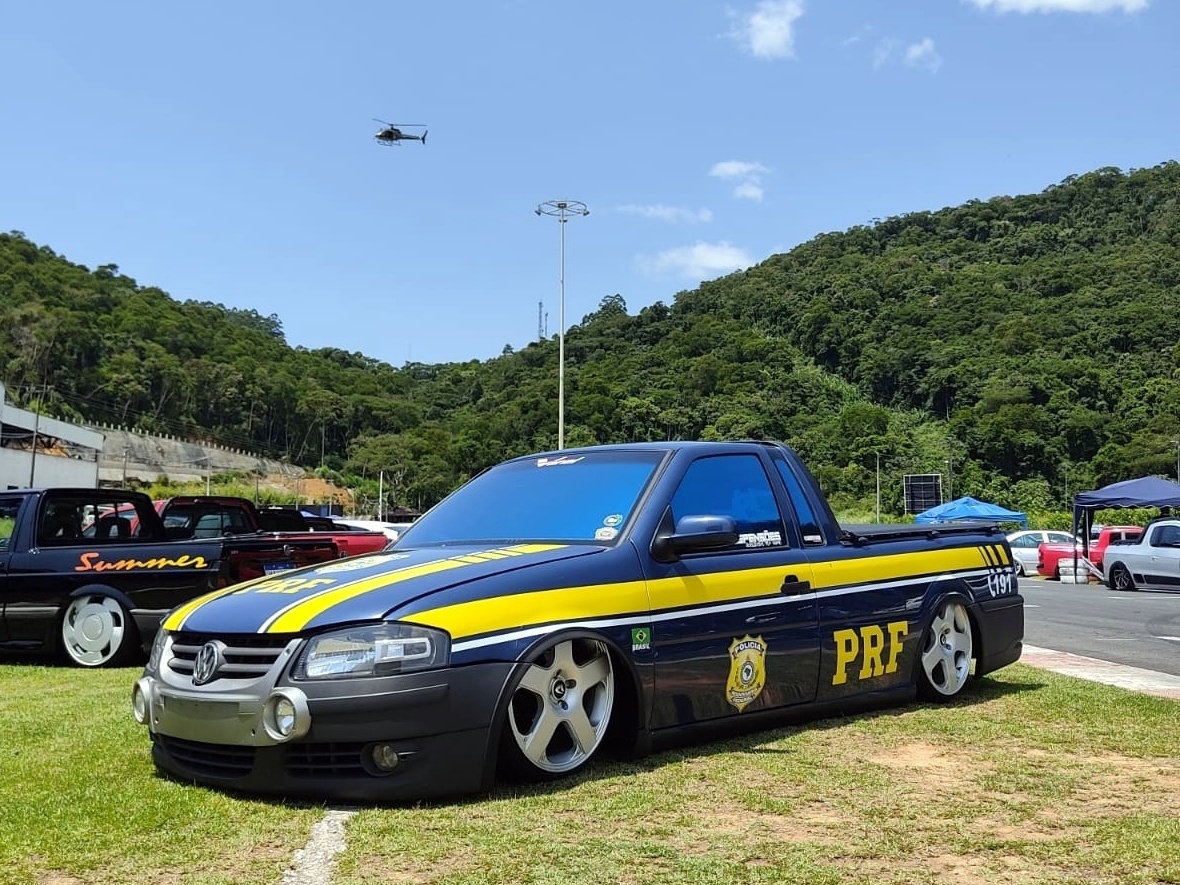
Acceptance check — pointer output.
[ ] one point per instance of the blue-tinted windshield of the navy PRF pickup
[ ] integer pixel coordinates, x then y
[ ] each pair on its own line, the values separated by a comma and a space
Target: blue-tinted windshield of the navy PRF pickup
579, 497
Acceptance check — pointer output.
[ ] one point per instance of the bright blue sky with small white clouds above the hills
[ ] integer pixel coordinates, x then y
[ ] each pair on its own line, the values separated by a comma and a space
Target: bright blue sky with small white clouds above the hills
225, 153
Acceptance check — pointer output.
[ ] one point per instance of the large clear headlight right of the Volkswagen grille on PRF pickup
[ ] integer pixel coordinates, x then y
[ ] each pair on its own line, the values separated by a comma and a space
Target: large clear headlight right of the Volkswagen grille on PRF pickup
377, 651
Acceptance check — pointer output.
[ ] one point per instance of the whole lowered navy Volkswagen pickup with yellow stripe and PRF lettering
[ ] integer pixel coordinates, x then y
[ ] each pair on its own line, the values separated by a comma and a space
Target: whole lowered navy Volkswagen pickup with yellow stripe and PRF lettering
562, 604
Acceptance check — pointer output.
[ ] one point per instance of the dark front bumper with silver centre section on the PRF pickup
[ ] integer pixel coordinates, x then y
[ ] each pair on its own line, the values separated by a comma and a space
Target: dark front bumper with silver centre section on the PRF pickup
435, 726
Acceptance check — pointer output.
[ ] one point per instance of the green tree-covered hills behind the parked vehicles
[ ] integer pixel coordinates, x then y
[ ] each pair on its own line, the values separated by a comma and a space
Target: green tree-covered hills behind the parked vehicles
1026, 348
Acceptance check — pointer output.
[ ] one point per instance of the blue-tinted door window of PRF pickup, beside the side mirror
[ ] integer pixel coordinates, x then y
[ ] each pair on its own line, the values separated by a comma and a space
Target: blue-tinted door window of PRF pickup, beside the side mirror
733, 486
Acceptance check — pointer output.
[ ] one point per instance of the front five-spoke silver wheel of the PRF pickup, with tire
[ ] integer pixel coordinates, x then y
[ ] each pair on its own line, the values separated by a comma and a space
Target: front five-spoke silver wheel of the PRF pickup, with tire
560, 711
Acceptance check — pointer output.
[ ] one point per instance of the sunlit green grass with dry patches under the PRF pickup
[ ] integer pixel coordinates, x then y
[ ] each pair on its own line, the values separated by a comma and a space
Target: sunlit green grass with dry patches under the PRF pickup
1030, 778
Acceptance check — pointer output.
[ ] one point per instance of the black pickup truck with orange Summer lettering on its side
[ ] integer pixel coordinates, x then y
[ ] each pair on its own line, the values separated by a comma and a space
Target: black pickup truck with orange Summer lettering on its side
91, 572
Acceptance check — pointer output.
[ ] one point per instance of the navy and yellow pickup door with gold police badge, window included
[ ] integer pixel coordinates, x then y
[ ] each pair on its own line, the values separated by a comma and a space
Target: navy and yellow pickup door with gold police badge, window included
733, 631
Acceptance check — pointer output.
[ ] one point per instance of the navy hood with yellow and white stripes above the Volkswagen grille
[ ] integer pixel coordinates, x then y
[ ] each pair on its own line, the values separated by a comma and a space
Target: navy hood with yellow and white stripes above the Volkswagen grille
364, 588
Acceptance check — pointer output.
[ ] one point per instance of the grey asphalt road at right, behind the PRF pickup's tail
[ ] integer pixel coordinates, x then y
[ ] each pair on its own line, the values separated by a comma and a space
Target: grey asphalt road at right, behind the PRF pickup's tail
1138, 630
